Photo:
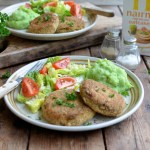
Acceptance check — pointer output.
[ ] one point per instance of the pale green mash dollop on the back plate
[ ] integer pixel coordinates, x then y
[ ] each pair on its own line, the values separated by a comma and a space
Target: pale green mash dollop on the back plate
20, 19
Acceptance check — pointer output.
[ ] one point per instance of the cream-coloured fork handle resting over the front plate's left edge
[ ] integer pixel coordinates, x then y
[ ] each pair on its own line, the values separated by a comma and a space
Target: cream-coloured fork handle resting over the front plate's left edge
6, 88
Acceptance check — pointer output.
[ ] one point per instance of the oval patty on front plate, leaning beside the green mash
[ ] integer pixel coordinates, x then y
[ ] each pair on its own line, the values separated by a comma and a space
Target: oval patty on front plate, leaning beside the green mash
101, 98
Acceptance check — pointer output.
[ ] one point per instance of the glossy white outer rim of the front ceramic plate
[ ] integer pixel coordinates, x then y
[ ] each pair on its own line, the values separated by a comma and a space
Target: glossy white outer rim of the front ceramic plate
80, 128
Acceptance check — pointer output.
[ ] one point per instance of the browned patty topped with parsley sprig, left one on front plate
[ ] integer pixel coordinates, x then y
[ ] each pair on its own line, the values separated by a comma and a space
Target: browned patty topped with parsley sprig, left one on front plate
65, 107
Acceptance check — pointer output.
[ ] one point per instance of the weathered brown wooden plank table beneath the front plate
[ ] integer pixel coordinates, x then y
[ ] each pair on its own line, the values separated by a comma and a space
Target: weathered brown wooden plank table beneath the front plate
131, 134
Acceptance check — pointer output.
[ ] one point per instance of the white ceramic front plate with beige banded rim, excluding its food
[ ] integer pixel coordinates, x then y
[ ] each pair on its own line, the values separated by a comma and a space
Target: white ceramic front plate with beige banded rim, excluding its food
133, 103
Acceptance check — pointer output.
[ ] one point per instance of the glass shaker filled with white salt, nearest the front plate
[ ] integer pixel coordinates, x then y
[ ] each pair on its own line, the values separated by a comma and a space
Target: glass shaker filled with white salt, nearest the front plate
129, 55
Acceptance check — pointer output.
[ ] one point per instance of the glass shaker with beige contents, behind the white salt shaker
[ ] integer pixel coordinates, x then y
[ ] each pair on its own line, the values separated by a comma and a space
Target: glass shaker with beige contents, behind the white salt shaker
111, 45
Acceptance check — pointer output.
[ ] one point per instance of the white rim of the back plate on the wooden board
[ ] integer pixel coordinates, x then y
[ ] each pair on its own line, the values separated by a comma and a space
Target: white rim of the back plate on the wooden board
46, 36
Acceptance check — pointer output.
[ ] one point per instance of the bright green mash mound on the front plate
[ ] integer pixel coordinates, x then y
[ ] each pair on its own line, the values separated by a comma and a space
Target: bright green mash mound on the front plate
108, 73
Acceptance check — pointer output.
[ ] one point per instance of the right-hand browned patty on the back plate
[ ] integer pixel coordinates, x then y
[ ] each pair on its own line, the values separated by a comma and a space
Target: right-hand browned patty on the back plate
68, 24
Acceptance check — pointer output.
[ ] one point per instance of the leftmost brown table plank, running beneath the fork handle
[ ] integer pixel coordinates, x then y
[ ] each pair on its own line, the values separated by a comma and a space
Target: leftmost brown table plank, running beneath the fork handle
13, 131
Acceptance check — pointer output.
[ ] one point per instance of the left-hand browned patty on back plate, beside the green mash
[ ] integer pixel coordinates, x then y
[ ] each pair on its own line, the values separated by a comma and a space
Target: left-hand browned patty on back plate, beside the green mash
44, 24
